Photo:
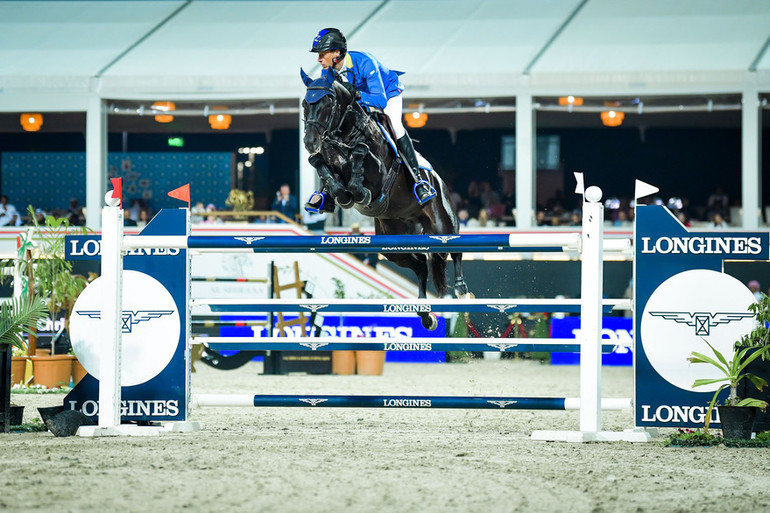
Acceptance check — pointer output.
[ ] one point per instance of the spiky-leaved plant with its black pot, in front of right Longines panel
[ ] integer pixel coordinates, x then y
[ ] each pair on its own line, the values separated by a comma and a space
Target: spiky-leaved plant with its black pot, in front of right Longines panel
736, 415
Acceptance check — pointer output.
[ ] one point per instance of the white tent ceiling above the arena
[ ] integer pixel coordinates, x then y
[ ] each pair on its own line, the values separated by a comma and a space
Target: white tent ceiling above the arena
54, 55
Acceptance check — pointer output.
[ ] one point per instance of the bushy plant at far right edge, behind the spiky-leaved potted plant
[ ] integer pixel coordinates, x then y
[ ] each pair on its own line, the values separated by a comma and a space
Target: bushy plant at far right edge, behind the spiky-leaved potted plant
756, 340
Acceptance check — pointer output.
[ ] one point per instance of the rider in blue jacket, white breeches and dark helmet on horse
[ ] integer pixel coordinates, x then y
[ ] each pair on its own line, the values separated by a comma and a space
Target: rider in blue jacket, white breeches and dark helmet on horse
373, 85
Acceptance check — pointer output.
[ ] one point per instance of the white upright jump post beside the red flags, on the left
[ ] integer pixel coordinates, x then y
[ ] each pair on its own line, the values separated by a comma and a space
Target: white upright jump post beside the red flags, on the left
112, 306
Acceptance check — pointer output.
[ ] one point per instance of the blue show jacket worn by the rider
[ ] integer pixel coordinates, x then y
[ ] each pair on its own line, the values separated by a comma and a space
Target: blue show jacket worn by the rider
376, 83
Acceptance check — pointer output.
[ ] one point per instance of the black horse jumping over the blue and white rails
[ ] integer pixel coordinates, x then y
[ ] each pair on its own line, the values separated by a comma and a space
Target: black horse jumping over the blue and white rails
360, 168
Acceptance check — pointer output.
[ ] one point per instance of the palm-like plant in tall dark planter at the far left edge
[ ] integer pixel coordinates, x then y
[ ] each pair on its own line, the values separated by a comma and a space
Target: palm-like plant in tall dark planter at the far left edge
17, 316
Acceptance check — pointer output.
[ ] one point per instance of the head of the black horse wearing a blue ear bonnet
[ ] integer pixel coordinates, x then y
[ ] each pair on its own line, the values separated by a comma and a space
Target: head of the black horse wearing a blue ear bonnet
324, 102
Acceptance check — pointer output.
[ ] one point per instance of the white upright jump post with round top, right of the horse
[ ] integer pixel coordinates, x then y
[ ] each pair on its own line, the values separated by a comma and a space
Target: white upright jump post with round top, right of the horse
591, 289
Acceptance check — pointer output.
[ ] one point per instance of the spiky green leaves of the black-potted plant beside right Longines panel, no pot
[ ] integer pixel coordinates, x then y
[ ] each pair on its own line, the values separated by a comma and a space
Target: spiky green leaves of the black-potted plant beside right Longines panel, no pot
733, 371
